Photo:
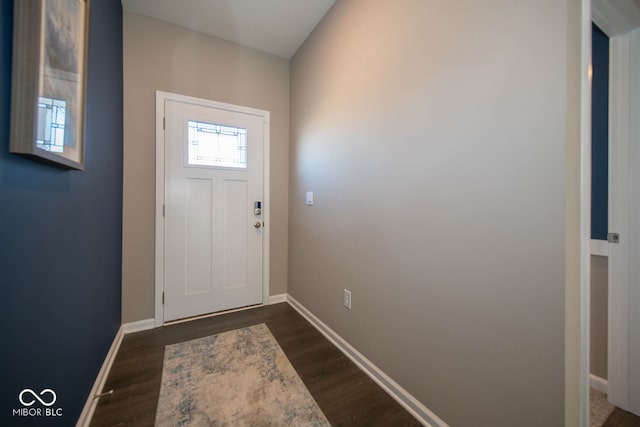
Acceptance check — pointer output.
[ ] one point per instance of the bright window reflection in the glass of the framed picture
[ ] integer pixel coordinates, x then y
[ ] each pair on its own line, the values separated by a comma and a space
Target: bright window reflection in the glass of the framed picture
51, 119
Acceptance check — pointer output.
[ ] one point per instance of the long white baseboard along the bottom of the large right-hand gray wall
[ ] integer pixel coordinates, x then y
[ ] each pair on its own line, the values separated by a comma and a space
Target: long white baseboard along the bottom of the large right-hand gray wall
395, 390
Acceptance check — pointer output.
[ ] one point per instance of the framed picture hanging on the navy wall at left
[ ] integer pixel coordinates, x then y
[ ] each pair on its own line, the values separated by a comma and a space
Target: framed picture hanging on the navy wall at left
49, 79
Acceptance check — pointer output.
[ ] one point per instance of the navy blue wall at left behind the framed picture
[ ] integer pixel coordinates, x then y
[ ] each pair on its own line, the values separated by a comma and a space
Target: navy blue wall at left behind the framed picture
60, 240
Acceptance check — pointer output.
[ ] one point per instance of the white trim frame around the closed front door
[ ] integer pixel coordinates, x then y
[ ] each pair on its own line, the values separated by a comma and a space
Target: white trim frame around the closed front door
161, 98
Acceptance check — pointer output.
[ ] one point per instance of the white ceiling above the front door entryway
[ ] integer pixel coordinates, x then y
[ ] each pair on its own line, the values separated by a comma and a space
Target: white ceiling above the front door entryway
278, 27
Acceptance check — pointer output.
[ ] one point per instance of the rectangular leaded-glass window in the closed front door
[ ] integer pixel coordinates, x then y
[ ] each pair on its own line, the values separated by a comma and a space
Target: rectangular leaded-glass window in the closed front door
217, 145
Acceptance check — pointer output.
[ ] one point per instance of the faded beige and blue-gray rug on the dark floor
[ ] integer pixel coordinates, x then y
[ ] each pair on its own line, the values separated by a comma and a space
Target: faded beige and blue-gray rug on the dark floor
236, 378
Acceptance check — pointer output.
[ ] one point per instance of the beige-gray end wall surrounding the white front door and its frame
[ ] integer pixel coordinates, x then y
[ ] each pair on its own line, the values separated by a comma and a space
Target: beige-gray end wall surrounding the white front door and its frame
162, 56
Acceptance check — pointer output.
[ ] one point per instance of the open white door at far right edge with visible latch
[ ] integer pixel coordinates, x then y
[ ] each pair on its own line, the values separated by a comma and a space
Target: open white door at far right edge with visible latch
624, 218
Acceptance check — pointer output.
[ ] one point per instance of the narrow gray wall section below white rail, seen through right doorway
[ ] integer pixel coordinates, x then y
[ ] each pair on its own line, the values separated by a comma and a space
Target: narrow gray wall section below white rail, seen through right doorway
599, 312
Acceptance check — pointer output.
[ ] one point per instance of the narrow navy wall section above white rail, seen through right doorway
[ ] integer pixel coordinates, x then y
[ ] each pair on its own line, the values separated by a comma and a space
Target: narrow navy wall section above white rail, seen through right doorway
600, 135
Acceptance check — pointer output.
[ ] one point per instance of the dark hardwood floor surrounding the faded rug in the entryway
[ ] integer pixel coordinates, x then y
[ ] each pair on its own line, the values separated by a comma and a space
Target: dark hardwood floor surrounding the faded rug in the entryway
345, 394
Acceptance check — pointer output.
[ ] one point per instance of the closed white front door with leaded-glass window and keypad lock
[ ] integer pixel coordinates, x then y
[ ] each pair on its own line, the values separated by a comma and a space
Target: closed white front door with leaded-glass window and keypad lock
213, 232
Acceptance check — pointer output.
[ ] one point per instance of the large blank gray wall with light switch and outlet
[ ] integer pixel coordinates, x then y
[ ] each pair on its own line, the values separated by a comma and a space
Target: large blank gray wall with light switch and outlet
435, 138
